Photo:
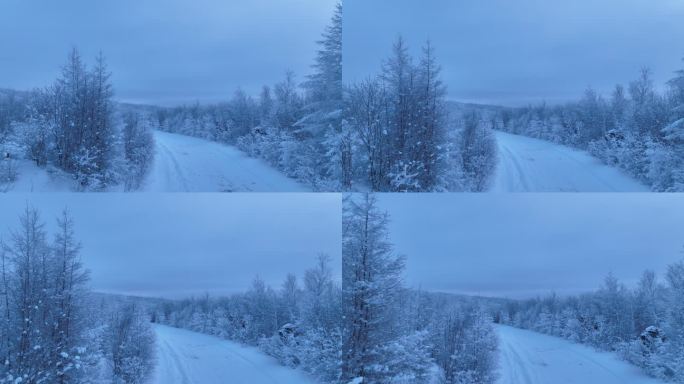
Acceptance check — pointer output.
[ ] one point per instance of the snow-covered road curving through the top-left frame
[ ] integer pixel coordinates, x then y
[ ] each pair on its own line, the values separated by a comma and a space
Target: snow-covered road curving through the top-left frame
188, 164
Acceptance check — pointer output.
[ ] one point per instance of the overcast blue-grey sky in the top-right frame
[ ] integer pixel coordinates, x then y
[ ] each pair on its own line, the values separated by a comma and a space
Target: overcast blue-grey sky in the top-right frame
515, 52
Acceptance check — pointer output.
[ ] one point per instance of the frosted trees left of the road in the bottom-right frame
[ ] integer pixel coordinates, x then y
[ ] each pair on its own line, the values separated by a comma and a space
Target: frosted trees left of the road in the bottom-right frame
394, 334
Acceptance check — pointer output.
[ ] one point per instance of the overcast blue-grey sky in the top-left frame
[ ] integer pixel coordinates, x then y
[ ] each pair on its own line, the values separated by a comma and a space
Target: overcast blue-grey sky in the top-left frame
163, 51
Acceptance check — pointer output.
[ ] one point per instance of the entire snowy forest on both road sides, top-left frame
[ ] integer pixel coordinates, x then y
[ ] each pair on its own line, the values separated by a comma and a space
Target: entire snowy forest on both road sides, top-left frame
74, 127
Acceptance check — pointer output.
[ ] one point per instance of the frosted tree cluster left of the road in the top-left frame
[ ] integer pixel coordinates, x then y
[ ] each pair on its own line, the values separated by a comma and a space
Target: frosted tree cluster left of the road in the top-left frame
74, 128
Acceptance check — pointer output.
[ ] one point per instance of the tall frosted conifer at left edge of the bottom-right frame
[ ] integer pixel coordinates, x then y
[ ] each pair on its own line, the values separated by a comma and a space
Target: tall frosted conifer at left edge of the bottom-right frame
371, 282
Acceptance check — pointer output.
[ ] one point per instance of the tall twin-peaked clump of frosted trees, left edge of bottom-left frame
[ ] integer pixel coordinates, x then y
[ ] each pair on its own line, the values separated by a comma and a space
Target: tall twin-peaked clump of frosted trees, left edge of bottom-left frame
43, 290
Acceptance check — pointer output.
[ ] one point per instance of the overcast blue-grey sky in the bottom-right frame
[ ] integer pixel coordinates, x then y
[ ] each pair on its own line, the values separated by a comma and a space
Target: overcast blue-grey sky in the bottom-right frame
521, 245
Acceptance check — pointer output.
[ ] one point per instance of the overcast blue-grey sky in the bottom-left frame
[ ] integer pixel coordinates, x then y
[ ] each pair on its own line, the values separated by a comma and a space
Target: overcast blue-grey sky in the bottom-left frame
174, 245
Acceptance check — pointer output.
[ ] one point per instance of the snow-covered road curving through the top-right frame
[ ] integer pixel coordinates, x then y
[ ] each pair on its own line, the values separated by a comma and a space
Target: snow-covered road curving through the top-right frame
532, 165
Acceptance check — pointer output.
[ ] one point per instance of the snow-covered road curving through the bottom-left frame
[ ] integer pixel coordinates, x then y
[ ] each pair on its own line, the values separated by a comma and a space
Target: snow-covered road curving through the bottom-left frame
185, 357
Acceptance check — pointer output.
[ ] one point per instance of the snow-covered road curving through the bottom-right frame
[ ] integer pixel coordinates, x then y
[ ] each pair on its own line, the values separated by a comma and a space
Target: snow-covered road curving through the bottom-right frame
529, 358
